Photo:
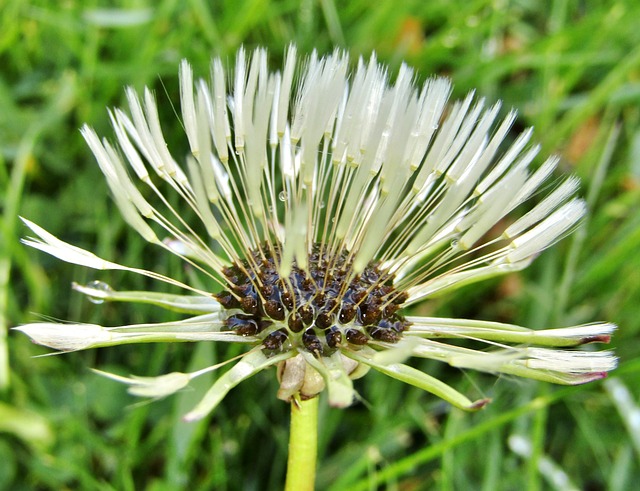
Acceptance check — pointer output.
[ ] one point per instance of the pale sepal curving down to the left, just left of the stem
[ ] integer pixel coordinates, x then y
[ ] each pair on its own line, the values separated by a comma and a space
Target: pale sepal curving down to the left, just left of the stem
250, 364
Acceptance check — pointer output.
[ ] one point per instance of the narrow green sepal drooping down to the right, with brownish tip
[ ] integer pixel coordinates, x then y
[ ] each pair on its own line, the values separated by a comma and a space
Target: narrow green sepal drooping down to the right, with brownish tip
419, 379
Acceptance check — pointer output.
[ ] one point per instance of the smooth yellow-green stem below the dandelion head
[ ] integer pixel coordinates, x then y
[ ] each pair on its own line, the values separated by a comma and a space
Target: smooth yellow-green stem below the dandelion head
303, 440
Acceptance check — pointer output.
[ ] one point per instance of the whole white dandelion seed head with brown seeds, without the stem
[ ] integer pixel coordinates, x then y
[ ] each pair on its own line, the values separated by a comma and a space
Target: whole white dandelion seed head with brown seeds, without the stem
328, 201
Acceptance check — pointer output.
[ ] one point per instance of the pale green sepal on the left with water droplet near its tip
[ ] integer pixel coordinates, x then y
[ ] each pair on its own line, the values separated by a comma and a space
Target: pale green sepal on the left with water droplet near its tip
188, 304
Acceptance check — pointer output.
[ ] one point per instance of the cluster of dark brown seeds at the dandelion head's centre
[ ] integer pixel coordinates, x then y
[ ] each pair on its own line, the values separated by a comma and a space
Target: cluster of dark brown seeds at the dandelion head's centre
320, 308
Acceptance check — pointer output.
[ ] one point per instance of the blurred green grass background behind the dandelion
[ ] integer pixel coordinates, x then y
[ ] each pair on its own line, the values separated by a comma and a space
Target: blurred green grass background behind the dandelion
572, 69
